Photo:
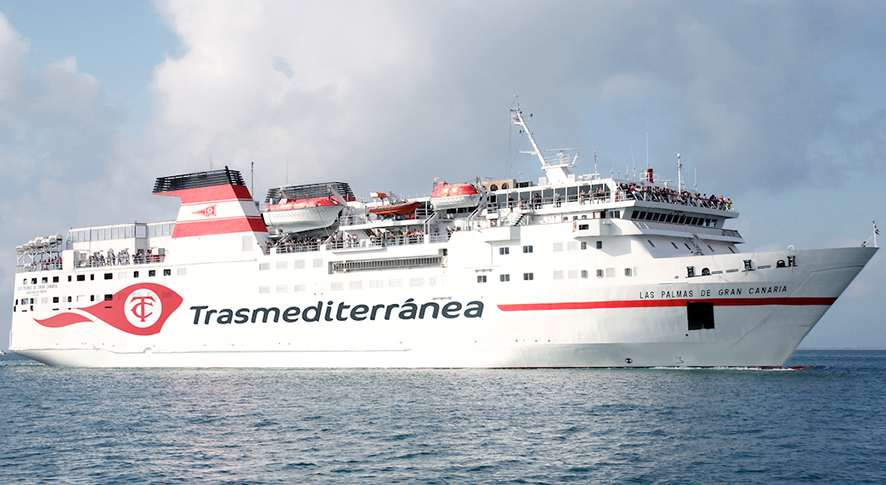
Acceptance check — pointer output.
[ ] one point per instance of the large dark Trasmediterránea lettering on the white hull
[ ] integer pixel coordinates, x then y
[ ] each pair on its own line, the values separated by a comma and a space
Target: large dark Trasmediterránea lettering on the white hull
329, 312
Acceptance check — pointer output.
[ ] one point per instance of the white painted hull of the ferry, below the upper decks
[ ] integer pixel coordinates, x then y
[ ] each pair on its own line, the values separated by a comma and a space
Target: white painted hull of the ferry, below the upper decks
640, 323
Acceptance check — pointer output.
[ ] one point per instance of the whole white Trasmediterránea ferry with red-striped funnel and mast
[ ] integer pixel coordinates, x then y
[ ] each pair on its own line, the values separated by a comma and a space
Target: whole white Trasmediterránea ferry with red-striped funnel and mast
569, 270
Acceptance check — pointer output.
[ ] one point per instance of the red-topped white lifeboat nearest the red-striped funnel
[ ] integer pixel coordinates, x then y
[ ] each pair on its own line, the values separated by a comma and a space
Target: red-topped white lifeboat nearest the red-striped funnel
302, 214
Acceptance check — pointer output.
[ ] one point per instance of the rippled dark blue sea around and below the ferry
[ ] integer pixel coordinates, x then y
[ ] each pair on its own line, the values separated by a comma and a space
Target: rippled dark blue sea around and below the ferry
823, 423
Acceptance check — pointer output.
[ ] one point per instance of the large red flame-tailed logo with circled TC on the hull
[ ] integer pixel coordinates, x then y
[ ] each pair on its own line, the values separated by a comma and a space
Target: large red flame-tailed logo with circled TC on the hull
140, 309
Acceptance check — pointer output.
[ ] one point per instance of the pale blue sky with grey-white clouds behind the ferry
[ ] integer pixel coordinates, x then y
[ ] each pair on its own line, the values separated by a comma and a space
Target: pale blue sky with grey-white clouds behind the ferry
778, 105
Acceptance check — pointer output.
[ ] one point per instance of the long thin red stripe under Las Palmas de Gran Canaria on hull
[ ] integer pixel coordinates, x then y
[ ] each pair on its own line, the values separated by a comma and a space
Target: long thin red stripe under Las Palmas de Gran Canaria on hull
594, 305
